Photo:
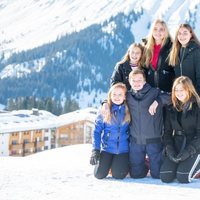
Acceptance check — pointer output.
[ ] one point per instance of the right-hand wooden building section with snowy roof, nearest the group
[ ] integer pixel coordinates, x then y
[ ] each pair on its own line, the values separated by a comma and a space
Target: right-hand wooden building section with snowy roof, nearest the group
76, 127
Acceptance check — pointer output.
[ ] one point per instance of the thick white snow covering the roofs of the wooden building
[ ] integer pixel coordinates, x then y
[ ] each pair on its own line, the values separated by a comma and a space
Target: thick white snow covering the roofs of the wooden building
23, 120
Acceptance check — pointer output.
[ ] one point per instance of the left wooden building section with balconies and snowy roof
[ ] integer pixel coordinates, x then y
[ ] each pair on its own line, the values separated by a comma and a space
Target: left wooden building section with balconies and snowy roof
26, 132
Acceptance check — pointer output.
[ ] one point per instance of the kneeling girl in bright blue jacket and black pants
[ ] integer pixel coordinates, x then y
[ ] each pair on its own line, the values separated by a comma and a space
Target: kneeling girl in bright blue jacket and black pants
111, 137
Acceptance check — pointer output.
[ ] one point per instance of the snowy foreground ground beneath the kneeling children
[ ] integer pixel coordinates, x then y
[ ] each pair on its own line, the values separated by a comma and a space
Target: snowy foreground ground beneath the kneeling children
65, 173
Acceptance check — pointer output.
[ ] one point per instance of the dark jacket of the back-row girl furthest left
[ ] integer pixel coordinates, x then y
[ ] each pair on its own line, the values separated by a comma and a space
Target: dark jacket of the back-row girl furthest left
121, 73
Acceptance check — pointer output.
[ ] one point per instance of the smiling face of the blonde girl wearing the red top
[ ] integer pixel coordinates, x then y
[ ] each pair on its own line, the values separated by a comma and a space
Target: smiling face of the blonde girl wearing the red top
159, 33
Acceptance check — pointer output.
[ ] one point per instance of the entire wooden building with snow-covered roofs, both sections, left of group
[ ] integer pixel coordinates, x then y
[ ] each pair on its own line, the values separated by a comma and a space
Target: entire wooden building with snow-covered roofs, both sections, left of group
25, 132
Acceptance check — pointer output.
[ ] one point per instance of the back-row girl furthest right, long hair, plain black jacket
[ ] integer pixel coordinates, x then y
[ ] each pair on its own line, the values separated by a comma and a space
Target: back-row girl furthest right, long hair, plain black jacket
185, 55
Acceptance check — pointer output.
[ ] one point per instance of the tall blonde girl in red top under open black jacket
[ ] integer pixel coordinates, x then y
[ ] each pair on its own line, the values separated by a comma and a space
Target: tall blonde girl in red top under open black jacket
158, 71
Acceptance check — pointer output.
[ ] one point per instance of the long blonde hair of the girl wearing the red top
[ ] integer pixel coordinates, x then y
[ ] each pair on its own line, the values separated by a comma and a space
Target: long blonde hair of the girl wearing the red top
148, 52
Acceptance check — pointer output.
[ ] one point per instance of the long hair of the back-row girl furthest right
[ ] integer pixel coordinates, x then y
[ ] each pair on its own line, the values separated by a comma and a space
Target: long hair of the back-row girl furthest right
173, 56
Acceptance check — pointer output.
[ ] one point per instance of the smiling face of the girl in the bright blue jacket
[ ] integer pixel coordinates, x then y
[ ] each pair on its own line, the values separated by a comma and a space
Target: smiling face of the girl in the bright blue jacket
118, 95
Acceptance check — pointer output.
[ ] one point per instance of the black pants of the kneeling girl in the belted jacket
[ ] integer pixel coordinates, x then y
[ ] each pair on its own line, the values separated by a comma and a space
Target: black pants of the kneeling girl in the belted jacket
183, 171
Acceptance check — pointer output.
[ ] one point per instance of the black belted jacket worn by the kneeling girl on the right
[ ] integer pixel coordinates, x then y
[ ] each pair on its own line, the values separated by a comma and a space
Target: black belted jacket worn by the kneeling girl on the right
183, 132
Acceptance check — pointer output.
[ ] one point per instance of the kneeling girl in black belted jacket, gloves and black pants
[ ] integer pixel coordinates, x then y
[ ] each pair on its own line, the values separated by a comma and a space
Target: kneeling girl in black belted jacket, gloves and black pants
182, 134
